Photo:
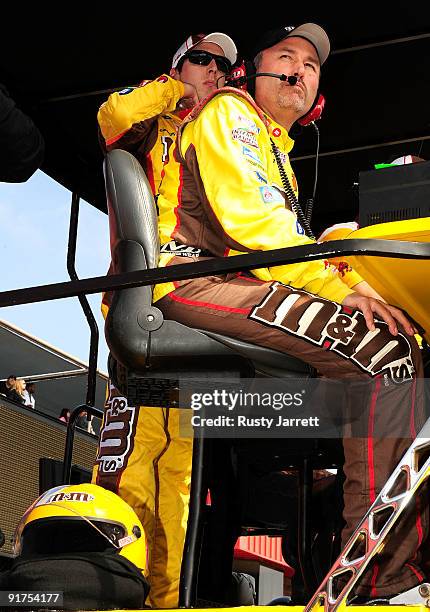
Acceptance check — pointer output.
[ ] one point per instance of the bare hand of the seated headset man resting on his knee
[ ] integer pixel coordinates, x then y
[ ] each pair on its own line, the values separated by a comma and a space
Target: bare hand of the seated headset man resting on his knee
390, 314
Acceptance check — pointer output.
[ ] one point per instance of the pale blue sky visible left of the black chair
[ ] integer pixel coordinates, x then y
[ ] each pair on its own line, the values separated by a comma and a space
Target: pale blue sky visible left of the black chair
34, 221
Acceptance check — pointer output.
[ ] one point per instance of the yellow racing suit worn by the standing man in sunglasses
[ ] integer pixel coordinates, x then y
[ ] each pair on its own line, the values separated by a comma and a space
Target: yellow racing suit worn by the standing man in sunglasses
141, 456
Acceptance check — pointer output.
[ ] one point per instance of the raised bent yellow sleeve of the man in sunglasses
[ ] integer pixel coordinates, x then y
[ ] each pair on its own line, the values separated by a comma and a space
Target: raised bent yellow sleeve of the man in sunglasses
137, 105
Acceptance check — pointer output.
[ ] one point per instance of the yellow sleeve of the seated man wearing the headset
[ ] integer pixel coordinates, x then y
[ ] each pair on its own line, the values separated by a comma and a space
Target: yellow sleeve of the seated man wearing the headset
235, 193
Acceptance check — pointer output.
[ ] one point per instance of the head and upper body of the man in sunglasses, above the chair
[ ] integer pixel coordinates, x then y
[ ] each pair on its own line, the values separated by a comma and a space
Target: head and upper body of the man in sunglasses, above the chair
144, 119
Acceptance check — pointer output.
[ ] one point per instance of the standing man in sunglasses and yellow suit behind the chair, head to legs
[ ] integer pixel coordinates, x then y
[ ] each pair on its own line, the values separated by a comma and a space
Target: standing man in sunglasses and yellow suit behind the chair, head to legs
155, 469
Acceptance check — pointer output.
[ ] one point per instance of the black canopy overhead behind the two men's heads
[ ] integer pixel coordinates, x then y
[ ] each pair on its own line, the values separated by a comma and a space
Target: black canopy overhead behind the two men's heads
377, 84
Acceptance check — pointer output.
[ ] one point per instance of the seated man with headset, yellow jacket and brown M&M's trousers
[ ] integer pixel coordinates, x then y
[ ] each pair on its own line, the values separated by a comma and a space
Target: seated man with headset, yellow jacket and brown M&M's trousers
233, 199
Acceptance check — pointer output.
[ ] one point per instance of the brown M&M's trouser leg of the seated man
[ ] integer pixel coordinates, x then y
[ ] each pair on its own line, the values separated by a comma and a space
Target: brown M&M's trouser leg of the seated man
337, 342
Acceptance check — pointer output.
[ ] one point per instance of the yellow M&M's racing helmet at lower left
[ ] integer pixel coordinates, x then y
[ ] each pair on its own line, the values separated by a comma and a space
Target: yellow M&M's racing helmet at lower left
81, 518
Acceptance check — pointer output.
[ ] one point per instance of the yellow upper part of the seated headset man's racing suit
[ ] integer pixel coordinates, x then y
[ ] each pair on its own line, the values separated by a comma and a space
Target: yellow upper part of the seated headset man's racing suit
235, 136
